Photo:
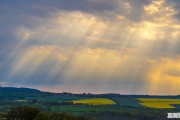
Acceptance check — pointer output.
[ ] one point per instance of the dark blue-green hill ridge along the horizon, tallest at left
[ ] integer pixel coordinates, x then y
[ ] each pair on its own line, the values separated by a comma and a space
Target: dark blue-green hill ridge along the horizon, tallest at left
13, 93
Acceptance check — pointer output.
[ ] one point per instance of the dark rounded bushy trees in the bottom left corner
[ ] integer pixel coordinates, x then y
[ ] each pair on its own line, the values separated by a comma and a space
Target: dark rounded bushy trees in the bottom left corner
33, 113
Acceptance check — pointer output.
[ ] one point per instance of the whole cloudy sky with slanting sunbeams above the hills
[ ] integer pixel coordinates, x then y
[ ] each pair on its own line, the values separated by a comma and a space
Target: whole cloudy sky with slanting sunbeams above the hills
92, 46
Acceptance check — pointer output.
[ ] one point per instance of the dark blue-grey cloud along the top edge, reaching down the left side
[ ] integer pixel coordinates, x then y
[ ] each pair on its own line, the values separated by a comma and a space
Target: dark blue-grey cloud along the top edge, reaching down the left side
28, 13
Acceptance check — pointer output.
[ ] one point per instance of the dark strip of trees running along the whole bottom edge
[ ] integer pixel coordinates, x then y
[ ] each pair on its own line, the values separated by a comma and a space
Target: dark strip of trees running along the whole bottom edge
33, 113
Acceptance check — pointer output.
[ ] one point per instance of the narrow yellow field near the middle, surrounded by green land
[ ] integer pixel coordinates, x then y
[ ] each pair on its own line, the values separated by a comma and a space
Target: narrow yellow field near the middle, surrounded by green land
95, 101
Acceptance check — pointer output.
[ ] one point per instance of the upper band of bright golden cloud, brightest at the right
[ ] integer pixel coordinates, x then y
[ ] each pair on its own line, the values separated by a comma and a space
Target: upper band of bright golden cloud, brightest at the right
87, 29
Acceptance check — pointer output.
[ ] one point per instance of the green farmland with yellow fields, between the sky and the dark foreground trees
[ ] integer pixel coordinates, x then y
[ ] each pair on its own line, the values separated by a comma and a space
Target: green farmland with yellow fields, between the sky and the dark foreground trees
102, 106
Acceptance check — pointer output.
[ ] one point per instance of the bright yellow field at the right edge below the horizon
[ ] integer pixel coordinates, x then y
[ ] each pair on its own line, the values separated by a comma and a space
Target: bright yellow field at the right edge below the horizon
159, 102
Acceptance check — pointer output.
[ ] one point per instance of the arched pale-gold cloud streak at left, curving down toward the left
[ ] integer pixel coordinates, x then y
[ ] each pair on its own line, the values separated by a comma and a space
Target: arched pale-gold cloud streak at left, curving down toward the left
34, 56
